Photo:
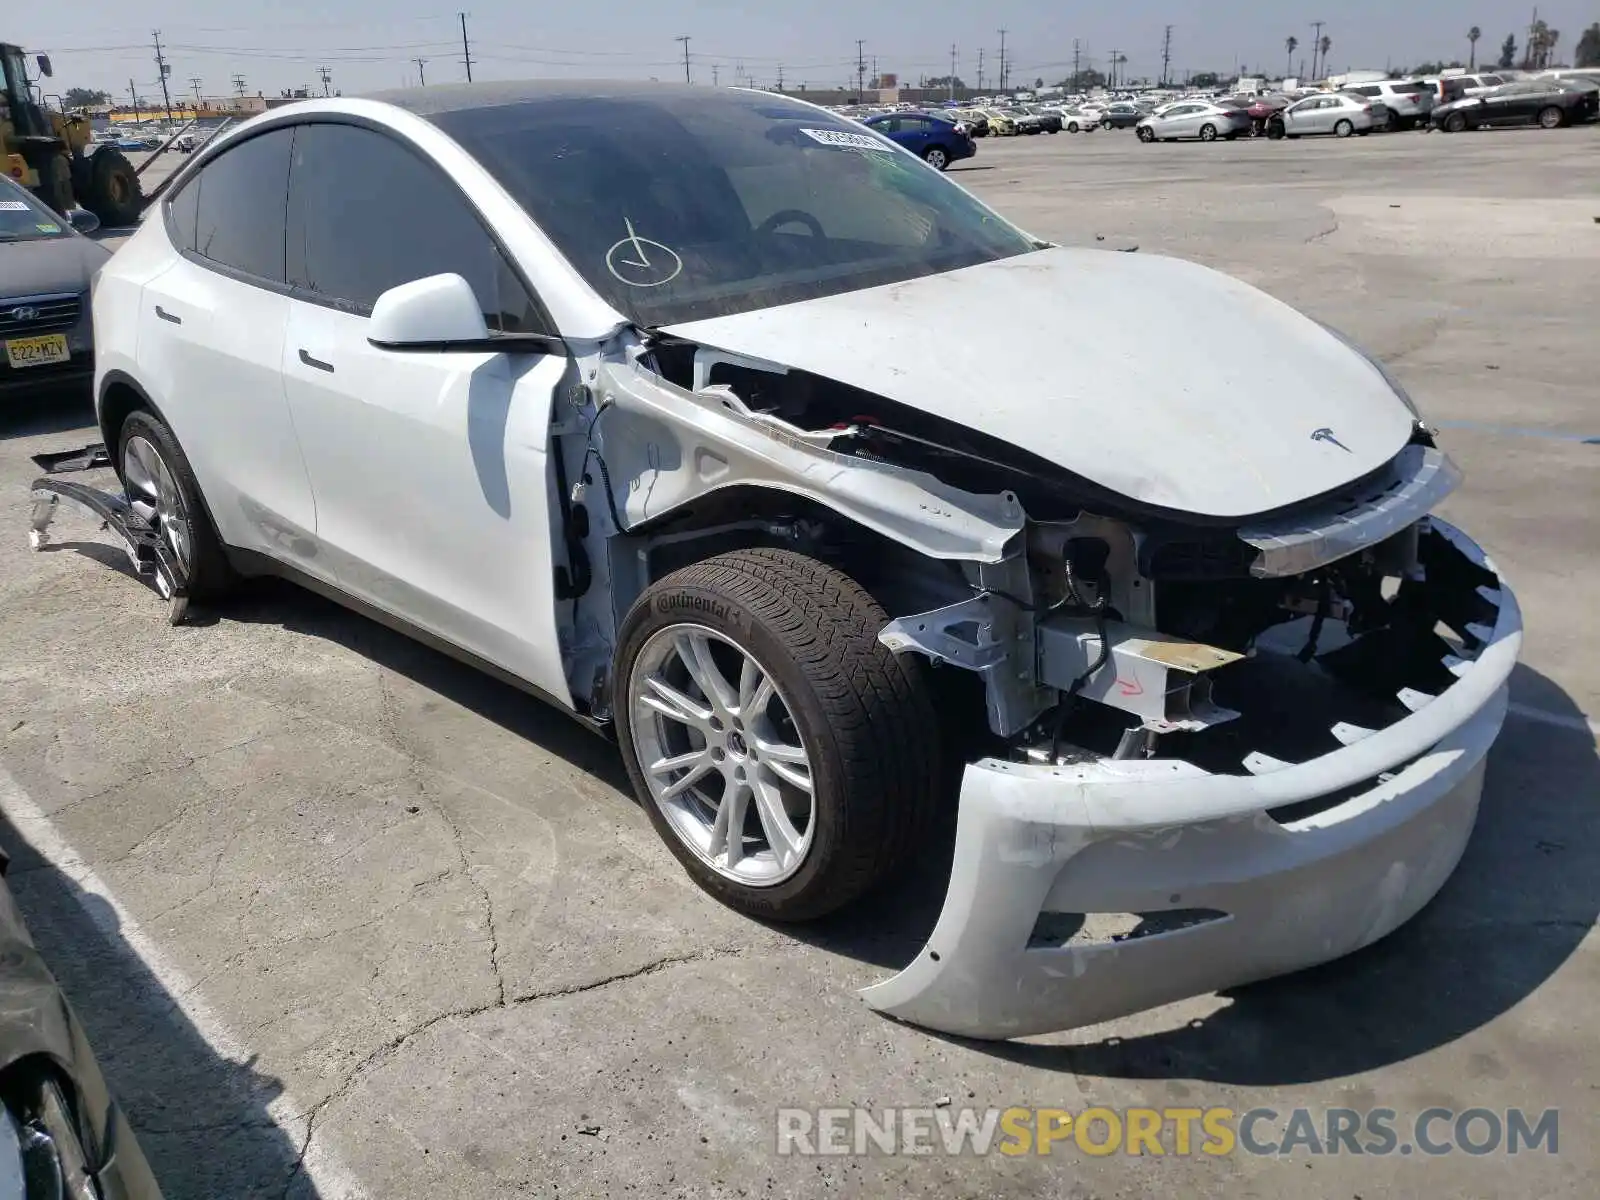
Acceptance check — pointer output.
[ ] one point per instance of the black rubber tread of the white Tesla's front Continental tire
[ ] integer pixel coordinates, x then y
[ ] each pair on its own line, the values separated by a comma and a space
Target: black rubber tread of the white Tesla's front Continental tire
876, 706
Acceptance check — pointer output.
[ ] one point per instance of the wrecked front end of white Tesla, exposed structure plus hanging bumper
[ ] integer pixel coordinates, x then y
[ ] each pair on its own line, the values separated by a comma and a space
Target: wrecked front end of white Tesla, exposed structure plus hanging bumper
1217, 750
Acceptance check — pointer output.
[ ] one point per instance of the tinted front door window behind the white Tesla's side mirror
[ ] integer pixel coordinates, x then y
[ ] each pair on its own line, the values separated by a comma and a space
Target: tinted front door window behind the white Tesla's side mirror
369, 215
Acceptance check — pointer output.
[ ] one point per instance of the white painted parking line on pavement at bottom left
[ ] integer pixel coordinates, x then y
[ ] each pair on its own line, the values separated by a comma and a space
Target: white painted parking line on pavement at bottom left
121, 929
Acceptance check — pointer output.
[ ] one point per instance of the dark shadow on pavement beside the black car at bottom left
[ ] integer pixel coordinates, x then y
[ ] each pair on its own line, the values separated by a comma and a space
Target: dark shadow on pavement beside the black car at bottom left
201, 1119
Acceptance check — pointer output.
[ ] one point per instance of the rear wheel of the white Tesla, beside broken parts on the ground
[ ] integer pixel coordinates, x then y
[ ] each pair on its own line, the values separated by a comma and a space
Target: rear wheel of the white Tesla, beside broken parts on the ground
162, 490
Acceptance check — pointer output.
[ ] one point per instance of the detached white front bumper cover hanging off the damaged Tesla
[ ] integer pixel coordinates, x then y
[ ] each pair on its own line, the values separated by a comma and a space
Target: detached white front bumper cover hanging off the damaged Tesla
1177, 882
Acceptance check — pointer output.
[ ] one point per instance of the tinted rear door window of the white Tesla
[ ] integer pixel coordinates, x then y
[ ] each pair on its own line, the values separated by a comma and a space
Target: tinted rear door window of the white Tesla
241, 206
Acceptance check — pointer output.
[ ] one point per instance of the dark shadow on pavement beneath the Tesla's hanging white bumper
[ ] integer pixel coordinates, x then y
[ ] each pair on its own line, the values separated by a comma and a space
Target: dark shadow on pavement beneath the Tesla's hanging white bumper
1524, 898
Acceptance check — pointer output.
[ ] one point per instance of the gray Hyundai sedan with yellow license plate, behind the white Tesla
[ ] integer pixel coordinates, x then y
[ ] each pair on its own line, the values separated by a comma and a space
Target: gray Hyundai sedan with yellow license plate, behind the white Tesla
46, 268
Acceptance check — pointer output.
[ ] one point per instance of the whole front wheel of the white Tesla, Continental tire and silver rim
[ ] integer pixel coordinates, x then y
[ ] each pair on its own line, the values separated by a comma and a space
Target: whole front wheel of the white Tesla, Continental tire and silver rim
786, 758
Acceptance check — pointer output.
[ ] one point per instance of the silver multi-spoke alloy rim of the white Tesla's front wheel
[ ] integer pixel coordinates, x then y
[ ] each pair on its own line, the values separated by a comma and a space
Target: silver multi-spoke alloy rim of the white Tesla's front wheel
716, 740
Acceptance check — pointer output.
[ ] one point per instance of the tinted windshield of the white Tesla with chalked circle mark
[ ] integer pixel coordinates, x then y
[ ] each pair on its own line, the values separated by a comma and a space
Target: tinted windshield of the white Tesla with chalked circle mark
678, 207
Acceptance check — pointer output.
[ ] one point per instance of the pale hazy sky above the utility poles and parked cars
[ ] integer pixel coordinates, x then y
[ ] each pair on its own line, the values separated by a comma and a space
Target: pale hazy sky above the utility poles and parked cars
370, 44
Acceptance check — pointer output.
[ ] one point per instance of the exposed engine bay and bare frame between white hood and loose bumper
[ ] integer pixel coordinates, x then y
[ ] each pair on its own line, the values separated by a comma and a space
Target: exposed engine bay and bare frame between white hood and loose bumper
1102, 628
